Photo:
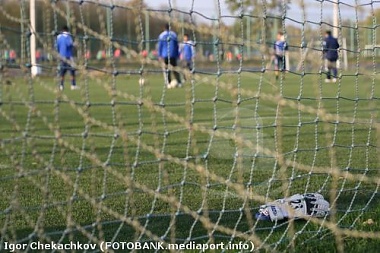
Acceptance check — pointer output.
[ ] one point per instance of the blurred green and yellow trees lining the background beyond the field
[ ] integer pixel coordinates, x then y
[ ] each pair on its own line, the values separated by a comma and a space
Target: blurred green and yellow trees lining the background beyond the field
126, 21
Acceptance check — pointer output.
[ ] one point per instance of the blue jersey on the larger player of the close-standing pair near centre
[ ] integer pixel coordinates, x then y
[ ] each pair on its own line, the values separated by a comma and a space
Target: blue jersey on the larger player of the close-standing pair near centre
168, 45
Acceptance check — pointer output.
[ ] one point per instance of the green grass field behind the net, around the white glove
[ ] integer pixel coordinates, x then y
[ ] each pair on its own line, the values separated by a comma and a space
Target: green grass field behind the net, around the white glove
73, 165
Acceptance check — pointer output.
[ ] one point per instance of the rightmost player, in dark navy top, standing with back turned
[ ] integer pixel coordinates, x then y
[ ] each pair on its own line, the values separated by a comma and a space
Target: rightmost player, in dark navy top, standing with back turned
330, 51
